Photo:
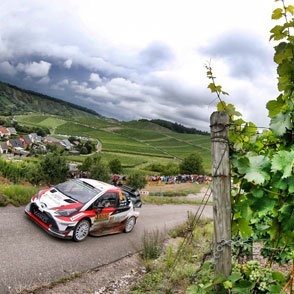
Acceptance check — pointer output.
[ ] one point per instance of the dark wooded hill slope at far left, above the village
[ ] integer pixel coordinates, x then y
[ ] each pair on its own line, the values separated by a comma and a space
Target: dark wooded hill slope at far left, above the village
14, 100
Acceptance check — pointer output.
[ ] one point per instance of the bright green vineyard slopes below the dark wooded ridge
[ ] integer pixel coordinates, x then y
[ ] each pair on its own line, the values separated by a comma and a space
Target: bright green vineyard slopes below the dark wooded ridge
135, 143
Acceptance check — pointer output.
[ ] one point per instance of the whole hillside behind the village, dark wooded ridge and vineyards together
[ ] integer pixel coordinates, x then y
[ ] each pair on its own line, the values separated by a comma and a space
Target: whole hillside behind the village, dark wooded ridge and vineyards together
136, 143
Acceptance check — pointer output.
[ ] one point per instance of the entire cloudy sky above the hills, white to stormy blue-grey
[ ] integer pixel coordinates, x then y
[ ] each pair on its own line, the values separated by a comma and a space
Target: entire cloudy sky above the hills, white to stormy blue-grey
132, 59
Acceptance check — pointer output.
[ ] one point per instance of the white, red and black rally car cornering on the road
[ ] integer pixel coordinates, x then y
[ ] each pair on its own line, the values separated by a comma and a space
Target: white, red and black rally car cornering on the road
80, 207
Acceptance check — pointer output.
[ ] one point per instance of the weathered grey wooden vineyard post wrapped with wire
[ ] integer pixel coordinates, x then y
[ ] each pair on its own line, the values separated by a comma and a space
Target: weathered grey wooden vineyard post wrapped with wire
221, 188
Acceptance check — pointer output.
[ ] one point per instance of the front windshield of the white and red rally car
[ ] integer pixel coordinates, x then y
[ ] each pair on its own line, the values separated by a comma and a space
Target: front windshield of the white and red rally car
77, 190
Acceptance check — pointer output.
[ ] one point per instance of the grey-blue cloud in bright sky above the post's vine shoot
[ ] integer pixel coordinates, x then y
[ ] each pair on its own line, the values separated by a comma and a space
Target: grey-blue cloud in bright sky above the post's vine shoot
246, 55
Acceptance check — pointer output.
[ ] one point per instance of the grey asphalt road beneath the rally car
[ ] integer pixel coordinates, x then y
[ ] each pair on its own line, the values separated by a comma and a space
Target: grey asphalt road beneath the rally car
29, 256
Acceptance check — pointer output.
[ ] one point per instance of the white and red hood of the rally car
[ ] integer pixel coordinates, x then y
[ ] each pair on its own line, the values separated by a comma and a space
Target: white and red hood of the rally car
53, 199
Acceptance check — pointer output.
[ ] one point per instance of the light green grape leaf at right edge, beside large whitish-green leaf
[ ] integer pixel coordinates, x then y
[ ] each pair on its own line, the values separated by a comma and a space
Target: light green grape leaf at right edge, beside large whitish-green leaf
283, 161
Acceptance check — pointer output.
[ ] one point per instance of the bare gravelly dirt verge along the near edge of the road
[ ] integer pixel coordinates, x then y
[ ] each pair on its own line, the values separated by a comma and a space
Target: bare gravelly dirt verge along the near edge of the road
109, 279
